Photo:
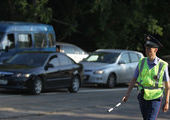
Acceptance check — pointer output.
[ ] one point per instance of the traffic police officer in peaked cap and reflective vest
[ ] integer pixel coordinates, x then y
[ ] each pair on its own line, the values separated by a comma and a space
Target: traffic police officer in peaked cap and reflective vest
150, 74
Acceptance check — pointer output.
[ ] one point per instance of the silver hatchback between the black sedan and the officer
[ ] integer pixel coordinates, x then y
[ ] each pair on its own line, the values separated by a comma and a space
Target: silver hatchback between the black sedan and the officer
109, 66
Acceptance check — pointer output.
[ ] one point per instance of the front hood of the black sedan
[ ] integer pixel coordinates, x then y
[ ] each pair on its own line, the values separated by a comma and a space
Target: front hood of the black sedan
17, 68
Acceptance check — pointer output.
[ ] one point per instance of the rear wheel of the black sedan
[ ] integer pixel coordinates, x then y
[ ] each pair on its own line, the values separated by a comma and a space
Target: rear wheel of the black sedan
75, 85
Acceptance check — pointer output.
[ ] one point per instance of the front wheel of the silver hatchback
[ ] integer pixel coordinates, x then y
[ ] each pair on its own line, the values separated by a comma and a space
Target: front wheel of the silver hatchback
111, 82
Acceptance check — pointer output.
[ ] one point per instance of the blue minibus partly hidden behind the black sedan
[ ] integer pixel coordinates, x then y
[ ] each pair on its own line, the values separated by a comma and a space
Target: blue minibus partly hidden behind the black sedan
21, 36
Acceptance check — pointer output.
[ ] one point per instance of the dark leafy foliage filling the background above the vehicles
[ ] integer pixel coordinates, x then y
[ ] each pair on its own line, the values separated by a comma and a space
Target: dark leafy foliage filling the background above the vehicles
94, 24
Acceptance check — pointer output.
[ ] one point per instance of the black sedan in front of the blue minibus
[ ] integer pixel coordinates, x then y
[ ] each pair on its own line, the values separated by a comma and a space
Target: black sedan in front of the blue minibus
37, 71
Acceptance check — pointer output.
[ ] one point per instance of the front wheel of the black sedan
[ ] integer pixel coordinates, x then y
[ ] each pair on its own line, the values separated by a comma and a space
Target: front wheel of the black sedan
36, 86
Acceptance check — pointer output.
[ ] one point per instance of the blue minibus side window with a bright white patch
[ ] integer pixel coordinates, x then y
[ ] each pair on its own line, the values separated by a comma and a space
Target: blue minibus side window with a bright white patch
24, 41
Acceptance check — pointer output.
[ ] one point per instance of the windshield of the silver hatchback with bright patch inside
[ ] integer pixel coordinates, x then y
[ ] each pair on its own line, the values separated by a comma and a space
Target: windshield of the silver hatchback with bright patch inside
102, 57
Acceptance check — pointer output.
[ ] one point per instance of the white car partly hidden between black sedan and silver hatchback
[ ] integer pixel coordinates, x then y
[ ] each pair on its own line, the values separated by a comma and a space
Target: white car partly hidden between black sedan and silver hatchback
73, 51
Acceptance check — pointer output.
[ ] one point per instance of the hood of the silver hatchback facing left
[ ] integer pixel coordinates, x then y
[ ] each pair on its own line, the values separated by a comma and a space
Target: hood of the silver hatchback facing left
95, 65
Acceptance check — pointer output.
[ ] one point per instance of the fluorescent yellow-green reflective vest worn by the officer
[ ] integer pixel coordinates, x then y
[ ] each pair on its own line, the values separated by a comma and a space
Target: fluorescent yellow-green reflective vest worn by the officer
151, 80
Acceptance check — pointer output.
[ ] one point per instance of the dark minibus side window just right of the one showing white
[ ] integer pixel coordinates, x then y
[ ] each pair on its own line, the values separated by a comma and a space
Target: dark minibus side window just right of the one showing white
40, 40
